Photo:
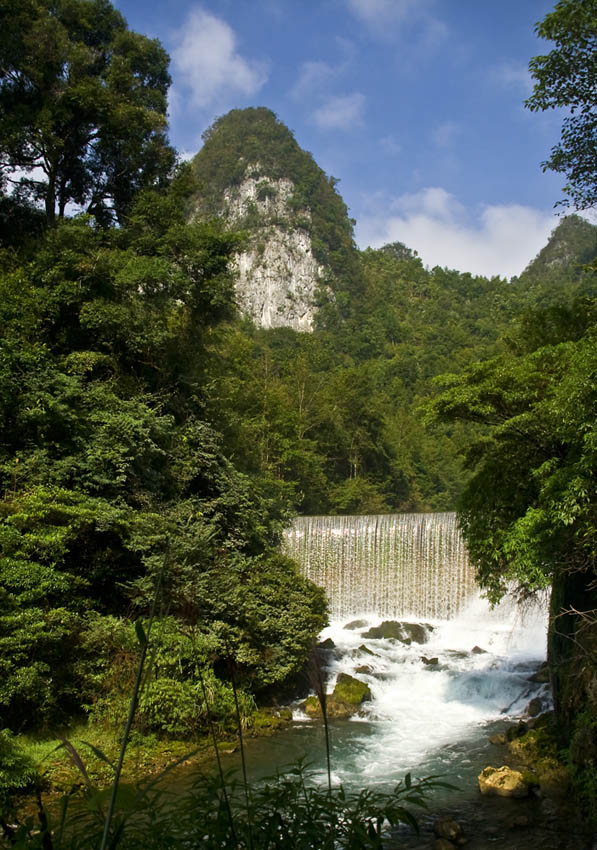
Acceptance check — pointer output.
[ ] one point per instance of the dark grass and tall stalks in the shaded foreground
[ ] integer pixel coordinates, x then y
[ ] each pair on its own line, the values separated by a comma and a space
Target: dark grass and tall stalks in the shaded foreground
288, 811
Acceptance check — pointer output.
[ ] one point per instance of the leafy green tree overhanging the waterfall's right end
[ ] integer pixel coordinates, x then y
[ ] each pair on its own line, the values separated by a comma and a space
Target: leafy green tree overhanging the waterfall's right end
529, 510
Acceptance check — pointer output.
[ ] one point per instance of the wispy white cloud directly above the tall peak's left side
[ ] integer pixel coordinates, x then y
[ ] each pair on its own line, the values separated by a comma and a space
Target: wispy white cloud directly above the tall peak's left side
207, 64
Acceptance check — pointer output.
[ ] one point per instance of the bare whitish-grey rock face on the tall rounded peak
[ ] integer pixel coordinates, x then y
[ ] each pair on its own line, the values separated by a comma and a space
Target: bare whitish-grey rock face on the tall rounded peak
277, 275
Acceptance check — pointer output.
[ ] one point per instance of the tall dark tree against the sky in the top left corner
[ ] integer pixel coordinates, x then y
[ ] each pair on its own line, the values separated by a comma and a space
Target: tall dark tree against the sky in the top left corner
83, 100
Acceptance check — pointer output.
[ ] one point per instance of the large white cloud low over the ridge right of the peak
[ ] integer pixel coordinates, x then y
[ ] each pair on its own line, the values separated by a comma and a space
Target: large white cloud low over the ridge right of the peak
501, 240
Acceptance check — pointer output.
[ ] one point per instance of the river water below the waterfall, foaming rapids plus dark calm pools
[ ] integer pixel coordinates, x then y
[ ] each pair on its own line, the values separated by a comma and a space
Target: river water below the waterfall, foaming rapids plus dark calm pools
435, 719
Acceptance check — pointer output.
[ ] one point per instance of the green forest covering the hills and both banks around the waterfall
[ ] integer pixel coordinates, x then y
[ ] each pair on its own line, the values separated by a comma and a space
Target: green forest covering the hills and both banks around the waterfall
155, 442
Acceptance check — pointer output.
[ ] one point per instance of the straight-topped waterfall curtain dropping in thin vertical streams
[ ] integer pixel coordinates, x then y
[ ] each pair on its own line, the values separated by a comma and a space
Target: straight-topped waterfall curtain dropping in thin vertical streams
396, 565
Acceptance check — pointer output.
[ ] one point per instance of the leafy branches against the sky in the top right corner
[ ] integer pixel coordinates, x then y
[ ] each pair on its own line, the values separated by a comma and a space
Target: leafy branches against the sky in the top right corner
566, 78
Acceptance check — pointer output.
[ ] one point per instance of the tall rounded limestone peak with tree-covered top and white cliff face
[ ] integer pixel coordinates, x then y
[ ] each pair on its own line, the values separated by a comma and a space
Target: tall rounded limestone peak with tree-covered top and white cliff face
299, 251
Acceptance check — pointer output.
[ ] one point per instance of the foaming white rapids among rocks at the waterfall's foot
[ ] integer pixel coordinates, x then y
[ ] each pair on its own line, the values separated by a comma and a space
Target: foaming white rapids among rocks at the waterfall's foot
425, 717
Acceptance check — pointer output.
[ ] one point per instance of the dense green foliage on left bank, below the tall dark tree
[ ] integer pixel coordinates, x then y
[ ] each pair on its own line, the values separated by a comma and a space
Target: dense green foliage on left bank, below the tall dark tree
112, 481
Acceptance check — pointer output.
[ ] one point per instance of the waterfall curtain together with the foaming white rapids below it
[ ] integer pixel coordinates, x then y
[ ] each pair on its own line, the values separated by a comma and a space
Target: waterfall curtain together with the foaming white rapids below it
431, 702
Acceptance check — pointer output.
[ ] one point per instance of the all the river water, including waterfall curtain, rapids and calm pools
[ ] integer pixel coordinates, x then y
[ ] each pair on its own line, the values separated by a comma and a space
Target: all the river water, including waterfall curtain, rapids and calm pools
434, 705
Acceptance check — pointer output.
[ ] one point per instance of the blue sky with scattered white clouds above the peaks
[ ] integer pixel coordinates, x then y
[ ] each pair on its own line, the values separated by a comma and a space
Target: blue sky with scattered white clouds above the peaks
415, 105
